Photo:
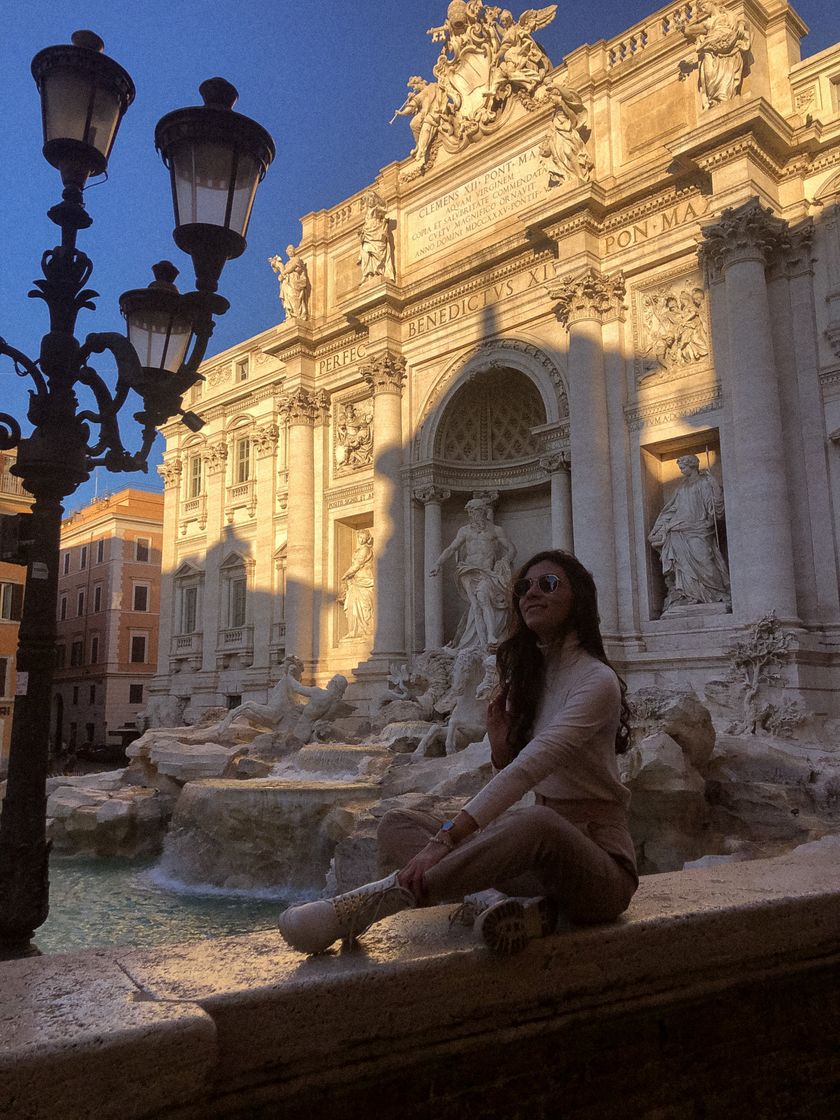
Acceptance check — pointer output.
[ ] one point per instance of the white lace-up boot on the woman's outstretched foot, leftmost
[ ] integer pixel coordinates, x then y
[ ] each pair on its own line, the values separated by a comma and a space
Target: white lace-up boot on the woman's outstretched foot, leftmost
314, 927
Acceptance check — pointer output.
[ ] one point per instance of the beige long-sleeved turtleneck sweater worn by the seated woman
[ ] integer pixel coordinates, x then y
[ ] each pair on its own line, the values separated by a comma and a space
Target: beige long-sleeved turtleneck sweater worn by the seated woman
572, 757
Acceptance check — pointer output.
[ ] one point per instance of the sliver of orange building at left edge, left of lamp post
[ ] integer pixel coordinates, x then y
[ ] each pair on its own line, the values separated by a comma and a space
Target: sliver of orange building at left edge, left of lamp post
14, 499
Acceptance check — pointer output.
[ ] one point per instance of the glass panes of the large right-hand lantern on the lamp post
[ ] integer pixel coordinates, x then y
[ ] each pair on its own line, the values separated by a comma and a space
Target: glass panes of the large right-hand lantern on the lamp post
203, 173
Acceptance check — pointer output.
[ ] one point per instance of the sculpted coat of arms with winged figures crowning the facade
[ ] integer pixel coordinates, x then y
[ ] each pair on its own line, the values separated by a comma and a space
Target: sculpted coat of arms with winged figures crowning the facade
487, 59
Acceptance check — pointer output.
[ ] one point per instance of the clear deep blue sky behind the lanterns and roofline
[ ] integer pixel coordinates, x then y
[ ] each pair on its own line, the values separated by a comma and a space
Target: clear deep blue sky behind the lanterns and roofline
322, 77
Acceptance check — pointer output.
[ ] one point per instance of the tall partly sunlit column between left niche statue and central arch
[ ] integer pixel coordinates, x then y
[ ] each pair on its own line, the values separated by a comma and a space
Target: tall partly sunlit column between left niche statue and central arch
386, 375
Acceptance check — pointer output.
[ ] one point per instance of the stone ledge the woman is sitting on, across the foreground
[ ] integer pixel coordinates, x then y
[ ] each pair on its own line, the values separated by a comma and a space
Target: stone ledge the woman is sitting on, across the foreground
242, 1026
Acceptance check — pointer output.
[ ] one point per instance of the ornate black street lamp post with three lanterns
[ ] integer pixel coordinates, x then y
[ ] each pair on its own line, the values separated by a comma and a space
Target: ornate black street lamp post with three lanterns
217, 161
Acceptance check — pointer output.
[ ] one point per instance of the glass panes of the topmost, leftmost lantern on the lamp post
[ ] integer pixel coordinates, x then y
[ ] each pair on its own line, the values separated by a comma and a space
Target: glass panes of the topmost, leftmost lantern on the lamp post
76, 109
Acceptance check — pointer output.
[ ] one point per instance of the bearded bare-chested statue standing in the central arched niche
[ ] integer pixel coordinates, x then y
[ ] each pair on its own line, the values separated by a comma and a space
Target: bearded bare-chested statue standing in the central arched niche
483, 575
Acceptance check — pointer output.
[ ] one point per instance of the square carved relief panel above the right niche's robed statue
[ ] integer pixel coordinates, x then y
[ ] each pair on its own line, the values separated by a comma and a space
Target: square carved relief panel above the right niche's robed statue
676, 332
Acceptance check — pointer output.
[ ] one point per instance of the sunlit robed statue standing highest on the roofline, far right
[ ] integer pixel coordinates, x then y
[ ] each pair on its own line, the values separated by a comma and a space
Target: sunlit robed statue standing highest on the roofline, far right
723, 42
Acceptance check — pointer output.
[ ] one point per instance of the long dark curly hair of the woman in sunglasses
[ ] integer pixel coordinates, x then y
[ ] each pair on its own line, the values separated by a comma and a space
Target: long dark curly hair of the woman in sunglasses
521, 665
